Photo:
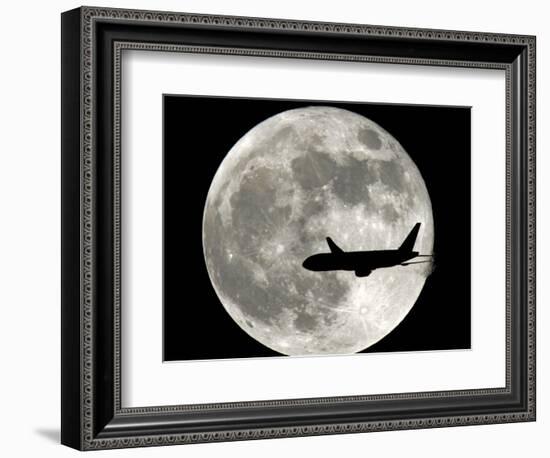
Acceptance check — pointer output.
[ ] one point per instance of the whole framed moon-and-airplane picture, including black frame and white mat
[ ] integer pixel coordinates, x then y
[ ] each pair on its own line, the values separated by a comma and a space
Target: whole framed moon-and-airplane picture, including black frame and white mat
277, 228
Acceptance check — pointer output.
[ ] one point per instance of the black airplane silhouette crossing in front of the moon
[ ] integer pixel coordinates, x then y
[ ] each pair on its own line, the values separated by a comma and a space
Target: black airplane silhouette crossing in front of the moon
364, 262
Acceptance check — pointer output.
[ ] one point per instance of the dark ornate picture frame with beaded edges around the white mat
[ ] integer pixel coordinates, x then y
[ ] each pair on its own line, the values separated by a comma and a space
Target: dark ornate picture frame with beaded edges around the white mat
92, 42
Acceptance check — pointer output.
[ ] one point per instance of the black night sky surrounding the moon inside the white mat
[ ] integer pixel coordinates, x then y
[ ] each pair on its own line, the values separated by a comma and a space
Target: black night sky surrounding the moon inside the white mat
198, 133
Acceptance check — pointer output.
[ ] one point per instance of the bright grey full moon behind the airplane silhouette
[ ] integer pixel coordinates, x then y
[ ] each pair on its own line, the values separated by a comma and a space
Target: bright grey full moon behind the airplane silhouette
287, 184
